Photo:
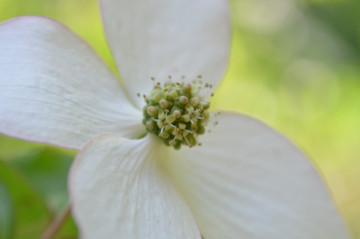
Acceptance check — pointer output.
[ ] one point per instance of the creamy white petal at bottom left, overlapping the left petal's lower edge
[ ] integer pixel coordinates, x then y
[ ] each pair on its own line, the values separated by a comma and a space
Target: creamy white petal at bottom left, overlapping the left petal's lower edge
119, 190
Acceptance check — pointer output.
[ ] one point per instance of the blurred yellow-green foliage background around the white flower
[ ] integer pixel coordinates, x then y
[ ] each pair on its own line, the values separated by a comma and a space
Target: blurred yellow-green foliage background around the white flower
294, 65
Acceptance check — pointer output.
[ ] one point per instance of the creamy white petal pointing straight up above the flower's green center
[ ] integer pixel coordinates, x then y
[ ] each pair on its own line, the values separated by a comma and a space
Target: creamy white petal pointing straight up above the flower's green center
157, 38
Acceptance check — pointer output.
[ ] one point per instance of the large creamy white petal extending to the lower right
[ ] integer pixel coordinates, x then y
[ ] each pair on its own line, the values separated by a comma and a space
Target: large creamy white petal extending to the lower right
247, 181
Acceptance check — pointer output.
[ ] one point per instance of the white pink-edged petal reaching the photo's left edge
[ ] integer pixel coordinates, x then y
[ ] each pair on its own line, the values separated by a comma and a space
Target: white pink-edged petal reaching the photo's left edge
55, 89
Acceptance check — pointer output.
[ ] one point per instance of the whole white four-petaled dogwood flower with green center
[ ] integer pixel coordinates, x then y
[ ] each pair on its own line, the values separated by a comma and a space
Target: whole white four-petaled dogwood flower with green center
244, 181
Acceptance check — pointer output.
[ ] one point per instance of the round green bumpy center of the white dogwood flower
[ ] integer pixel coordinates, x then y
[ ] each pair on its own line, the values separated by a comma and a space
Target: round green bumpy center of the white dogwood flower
176, 112
